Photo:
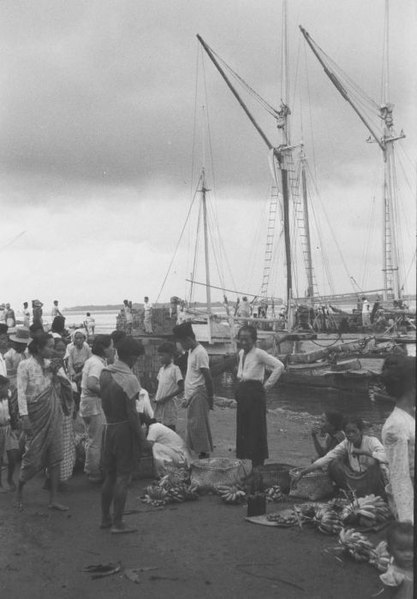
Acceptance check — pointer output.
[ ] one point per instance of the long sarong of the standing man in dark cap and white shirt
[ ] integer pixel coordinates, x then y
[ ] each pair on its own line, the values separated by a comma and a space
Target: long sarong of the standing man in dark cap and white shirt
198, 424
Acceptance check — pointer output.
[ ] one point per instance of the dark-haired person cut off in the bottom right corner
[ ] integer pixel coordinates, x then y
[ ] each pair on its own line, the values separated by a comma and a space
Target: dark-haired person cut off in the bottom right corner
399, 576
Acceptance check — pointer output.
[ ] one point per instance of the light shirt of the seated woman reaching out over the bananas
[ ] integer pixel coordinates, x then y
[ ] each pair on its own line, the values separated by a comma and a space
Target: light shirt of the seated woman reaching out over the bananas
357, 463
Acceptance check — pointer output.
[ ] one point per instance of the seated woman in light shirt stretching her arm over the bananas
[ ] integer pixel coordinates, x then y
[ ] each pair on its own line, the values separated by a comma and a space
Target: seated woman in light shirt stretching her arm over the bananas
357, 463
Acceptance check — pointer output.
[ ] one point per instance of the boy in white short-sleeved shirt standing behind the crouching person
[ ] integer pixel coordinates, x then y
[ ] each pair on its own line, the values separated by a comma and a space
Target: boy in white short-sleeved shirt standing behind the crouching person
170, 384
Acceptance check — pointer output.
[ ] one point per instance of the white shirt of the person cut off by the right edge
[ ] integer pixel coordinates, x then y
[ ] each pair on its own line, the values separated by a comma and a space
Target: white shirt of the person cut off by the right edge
398, 437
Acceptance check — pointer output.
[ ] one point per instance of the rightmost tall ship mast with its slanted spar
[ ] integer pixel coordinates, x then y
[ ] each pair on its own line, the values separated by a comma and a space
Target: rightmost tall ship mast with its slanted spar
391, 275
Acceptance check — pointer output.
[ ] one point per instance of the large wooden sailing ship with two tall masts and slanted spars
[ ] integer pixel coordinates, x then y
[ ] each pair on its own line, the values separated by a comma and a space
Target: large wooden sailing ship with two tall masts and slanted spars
340, 364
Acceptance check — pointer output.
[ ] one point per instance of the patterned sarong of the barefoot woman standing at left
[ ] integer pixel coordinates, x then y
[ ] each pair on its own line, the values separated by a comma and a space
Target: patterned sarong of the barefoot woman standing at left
45, 443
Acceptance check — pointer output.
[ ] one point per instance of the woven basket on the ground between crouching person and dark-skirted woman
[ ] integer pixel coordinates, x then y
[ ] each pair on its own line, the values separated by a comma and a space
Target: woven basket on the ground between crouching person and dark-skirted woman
208, 474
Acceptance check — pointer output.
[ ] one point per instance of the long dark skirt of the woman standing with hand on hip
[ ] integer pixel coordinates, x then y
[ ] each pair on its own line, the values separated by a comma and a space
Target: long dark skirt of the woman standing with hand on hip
251, 439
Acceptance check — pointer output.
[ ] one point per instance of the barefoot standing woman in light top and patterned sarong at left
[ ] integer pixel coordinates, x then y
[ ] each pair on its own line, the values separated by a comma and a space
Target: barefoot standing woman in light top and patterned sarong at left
39, 386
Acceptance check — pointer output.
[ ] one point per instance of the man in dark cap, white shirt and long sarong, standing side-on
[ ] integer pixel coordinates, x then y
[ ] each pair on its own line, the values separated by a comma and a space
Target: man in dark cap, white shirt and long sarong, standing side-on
198, 390
